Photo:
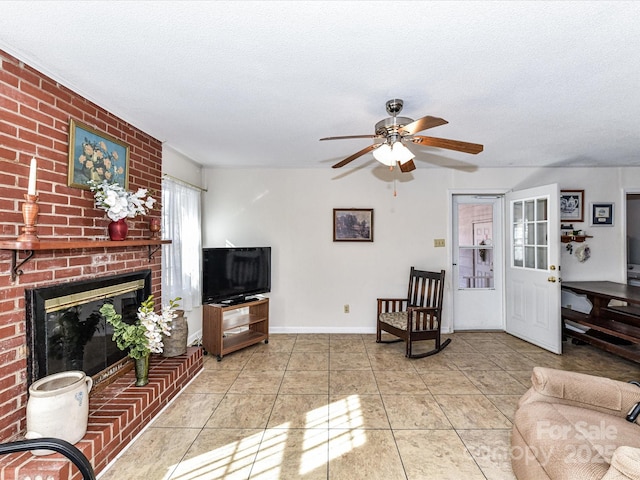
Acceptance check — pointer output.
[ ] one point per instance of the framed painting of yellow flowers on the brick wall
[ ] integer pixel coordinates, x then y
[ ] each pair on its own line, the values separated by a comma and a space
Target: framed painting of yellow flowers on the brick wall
94, 155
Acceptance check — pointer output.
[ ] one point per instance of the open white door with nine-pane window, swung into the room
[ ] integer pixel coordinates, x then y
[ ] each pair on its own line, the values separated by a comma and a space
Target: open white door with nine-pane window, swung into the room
532, 280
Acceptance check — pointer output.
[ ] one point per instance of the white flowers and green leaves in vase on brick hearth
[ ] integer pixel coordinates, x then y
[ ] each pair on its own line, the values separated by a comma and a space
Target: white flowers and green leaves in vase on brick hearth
145, 335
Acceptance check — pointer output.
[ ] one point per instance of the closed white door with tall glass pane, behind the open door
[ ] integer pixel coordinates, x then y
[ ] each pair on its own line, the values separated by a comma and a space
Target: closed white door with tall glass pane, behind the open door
477, 263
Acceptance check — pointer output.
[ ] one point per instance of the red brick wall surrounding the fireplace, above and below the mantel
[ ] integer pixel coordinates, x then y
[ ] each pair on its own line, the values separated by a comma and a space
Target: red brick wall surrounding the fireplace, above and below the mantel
34, 122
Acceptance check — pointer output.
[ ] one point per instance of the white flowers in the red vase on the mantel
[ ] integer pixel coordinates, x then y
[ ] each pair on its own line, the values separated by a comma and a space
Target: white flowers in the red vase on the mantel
118, 202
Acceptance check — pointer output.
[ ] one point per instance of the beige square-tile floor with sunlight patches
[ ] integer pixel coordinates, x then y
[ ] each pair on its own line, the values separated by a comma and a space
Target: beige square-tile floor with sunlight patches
341, 407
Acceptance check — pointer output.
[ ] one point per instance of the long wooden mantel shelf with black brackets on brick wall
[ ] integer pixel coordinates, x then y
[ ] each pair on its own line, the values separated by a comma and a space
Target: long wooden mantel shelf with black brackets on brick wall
29, 248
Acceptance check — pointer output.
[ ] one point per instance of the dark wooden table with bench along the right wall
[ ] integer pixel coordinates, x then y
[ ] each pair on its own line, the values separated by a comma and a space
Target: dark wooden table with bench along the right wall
614, 328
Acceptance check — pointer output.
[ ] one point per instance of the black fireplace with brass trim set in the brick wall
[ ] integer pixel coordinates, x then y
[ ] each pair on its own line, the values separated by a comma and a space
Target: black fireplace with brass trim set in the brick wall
65, 330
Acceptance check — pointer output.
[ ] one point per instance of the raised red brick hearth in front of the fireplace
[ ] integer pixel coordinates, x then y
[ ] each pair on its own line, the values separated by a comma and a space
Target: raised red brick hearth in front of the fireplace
116, 415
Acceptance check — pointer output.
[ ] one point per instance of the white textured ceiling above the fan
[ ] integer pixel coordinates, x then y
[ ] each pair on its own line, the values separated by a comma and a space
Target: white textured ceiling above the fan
245, 84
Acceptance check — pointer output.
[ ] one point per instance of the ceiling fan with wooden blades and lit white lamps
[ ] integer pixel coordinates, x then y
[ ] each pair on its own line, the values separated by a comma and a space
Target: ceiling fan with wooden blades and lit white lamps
392, 133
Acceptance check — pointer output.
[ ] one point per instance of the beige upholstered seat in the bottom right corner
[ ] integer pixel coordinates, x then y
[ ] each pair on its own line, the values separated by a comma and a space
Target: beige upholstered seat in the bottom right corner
573, 426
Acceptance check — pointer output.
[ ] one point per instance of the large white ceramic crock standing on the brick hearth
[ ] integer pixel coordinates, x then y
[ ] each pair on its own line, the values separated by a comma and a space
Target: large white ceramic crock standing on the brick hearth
58, 406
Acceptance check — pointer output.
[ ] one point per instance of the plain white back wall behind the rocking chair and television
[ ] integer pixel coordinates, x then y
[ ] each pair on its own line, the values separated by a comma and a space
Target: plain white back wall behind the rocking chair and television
314, 277
